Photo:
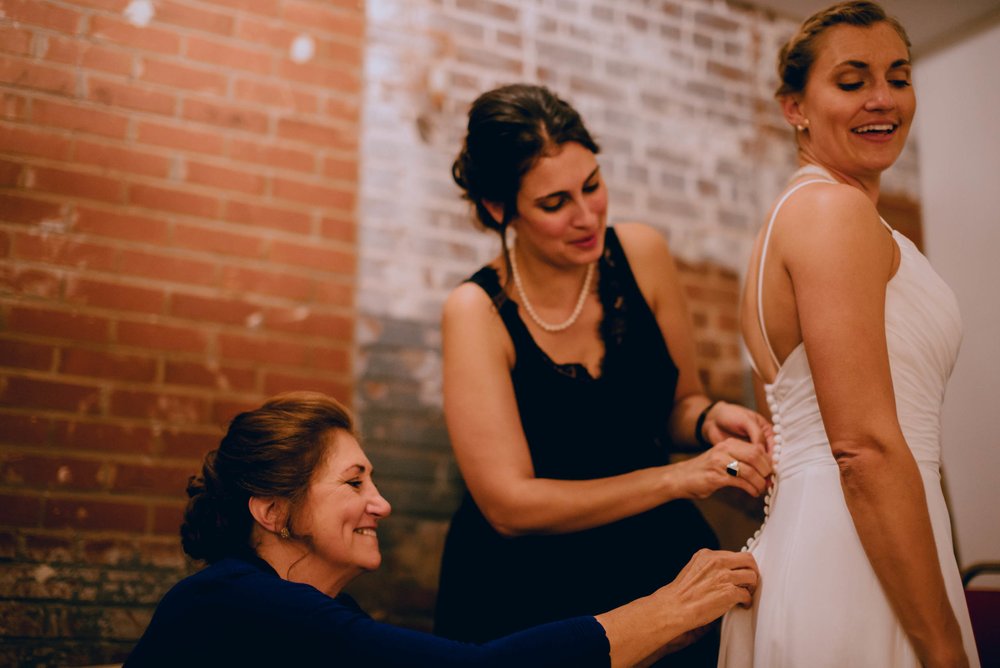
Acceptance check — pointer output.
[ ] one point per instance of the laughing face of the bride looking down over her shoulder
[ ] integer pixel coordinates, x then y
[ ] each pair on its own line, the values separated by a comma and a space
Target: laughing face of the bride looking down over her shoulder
858, 103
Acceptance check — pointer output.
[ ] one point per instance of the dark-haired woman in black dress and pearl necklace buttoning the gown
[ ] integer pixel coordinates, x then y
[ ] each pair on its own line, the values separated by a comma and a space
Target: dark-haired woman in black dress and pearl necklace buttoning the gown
569, 378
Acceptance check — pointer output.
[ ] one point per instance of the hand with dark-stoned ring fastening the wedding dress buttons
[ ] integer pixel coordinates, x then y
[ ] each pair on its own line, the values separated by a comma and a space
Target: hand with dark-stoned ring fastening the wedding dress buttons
705, 474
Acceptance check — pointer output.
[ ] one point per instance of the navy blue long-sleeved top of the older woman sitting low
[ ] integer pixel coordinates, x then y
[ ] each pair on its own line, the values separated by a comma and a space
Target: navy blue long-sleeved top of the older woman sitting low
236, 613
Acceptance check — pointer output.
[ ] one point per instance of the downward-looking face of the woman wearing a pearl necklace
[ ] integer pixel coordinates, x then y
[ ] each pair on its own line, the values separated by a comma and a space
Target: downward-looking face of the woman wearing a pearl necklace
562, 207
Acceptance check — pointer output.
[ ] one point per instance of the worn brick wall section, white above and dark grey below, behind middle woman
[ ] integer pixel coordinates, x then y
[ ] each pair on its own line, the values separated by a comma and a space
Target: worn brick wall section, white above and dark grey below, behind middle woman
678, 93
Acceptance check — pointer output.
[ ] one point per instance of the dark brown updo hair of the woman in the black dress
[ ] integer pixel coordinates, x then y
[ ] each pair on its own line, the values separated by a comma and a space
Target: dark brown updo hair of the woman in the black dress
509, 129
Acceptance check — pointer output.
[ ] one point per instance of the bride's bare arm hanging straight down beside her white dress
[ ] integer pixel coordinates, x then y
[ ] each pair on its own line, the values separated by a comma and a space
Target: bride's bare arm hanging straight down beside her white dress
839, 258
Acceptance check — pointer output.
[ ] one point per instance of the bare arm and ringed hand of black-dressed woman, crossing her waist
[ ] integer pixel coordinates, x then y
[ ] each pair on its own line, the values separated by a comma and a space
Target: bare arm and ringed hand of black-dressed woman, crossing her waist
492, 452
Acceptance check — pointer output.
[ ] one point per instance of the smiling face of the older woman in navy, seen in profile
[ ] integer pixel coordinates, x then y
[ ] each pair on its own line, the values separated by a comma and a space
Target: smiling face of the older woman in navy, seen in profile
340, 513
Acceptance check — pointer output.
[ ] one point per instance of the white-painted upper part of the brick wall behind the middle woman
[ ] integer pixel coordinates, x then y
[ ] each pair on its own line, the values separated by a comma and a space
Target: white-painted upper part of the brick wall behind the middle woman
677, 92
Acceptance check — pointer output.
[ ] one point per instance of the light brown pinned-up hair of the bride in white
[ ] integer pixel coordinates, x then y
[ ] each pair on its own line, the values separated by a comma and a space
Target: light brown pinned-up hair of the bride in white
799, 53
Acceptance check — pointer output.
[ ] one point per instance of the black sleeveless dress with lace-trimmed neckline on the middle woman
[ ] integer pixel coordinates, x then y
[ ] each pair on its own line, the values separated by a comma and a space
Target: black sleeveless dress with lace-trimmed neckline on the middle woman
578, 427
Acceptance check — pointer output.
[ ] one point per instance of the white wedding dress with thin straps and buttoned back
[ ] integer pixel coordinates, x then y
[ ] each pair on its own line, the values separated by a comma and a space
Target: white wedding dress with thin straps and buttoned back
819, 603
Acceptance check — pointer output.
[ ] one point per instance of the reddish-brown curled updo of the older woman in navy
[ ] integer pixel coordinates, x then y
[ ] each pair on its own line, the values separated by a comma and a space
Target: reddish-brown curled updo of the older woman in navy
270, 451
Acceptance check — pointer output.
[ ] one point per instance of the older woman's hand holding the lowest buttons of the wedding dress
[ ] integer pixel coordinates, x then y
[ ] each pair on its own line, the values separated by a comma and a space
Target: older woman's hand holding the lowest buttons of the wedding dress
710, 584
